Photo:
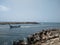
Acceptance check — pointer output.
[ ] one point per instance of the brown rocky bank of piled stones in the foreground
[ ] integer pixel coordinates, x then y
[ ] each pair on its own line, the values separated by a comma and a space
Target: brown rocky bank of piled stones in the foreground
44, 37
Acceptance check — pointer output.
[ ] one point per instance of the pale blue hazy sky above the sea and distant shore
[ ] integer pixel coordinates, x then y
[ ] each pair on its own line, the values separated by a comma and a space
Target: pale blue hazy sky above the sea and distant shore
30, 10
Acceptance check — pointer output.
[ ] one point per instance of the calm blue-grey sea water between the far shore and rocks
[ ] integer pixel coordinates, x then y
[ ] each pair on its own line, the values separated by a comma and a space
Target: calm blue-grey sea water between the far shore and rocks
8, 35
